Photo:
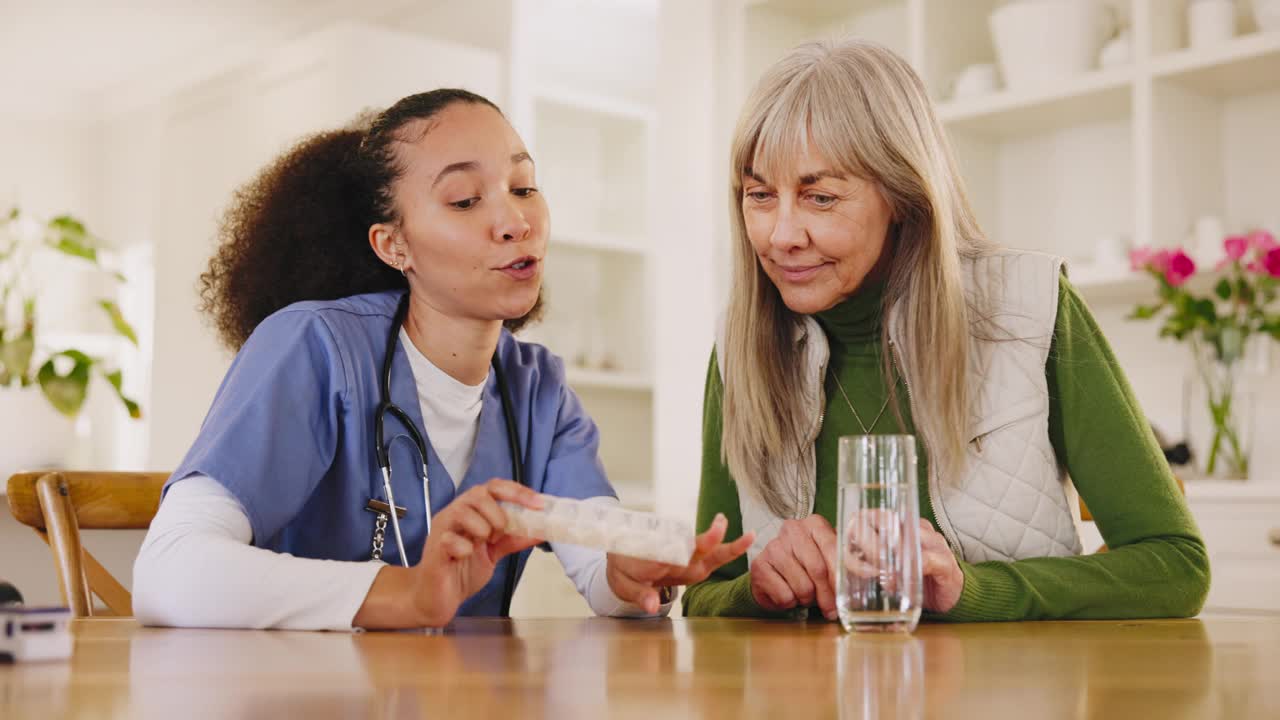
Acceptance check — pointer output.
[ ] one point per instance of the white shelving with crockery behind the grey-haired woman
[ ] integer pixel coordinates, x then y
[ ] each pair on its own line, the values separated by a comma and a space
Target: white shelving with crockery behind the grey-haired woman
1127, 156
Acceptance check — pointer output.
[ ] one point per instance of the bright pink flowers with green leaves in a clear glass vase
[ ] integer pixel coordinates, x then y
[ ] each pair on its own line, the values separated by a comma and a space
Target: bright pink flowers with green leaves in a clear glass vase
1224, 329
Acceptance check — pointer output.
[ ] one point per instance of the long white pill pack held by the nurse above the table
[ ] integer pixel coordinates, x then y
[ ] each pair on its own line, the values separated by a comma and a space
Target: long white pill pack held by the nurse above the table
605, 527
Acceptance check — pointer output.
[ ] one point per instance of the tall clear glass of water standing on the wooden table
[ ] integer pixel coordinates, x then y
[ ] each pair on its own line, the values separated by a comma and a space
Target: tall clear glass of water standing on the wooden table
879, 584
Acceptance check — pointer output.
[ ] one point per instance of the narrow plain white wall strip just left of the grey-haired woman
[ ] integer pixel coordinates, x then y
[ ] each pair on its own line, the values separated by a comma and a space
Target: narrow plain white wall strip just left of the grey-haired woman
691, 180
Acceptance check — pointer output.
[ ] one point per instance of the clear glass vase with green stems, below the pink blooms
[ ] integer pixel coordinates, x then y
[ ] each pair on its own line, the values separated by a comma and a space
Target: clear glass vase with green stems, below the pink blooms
1219, 407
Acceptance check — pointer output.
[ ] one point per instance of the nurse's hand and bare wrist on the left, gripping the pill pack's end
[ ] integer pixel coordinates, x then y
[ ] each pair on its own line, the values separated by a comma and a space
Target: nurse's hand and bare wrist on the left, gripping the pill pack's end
468, 540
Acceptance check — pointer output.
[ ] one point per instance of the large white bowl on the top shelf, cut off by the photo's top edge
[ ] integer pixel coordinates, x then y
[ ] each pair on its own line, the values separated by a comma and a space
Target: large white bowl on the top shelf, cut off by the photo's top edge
1040, 42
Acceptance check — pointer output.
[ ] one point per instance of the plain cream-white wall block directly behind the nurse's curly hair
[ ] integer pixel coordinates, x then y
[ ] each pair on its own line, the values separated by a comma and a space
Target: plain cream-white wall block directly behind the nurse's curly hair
218, 135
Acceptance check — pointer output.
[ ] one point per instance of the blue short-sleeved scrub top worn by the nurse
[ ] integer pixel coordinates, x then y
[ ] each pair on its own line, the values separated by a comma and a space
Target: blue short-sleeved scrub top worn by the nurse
291, 435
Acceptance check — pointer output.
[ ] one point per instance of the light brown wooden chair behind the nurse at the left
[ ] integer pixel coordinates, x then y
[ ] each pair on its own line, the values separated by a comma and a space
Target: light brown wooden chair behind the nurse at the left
58, 504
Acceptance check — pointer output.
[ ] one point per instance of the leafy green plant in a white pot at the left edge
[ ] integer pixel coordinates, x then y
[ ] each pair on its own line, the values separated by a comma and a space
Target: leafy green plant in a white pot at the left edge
29, 366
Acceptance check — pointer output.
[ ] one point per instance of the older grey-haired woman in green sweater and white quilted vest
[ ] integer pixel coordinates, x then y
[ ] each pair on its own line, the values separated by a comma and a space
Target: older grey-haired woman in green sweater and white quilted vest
867, 300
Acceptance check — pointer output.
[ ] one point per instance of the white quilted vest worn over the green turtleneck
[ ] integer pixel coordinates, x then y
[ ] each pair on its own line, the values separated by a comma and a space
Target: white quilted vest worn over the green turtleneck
1014, 500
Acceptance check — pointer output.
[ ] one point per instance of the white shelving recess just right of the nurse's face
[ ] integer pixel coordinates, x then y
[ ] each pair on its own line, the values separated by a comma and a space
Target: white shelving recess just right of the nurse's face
591, 129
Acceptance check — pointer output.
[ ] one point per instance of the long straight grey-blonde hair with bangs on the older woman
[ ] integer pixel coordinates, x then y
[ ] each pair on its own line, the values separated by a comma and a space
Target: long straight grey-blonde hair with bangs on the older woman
867, 113
